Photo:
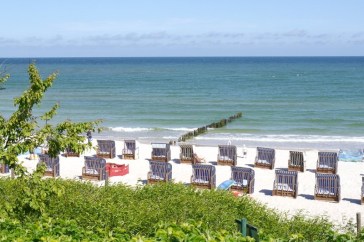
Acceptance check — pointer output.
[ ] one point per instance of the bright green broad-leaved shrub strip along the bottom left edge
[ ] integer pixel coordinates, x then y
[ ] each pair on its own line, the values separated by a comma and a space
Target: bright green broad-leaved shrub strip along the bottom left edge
67, 230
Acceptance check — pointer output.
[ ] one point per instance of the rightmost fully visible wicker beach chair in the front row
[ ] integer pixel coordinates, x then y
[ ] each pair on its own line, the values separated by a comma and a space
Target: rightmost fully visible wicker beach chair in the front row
327, 187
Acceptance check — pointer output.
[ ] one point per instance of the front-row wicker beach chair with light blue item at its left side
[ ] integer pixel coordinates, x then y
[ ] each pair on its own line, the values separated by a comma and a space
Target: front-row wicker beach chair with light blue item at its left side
243, 178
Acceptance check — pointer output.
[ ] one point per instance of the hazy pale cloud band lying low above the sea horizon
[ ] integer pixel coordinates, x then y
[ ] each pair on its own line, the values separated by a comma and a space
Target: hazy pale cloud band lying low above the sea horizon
169, 43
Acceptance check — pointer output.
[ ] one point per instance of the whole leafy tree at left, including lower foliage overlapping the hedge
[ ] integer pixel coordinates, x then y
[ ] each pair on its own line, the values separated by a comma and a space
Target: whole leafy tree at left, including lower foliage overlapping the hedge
23, 132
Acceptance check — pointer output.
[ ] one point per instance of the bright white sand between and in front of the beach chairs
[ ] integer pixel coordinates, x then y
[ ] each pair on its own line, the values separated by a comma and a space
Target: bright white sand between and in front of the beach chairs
350, 177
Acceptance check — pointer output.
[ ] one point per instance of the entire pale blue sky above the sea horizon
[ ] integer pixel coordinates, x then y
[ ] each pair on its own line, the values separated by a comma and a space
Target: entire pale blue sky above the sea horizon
153, 28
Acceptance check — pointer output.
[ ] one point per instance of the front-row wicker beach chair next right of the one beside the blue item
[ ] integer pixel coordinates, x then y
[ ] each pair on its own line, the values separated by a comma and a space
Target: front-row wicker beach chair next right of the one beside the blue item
285, 184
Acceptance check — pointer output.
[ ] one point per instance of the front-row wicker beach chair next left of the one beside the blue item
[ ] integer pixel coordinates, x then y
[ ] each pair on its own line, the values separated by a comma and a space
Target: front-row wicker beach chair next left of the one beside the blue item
203, 176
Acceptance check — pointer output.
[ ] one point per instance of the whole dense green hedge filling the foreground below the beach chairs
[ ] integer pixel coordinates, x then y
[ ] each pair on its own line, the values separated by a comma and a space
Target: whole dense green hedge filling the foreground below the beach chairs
66, 210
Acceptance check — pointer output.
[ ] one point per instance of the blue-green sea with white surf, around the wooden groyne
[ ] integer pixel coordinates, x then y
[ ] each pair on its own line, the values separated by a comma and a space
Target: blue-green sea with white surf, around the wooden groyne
286, 102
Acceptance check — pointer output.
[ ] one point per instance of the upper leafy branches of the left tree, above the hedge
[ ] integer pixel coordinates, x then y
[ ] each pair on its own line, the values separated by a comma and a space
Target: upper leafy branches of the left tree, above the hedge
23, 131
